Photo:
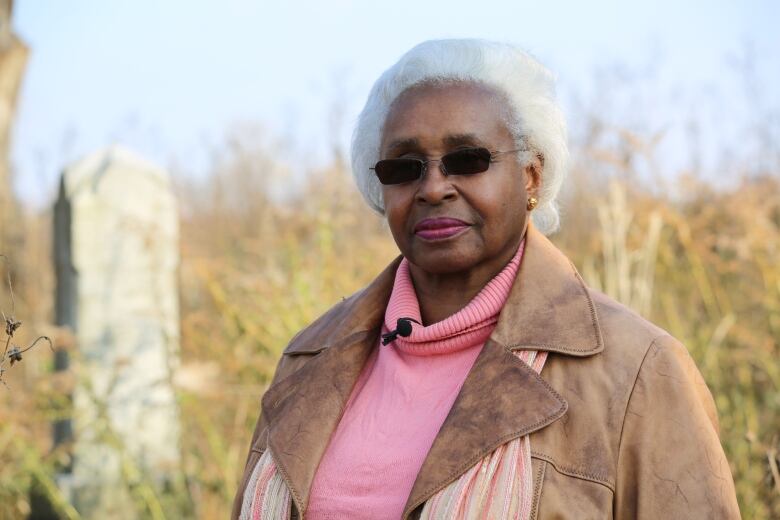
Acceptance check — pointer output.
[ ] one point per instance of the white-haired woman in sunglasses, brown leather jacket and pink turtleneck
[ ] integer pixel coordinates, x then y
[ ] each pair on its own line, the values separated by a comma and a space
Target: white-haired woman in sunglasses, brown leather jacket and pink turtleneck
478, 376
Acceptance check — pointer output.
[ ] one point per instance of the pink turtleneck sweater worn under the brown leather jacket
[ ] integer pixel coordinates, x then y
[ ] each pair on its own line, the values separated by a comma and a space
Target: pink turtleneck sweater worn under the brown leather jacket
400, 401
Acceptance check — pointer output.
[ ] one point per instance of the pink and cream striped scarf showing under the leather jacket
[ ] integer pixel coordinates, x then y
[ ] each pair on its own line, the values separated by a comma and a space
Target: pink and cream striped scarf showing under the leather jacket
500, 486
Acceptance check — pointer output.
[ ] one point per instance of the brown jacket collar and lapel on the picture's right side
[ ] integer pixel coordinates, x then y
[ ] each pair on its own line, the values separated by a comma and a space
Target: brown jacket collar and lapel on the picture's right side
502, 398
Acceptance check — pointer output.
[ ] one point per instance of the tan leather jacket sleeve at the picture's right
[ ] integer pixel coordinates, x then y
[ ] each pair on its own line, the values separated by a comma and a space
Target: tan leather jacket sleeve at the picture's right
670, 461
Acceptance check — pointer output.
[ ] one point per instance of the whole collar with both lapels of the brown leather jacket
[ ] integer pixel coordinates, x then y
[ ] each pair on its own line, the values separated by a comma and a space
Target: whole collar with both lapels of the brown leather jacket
548, 309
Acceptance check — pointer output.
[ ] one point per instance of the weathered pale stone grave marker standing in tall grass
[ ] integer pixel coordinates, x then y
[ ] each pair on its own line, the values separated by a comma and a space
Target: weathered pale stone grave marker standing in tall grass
117, 256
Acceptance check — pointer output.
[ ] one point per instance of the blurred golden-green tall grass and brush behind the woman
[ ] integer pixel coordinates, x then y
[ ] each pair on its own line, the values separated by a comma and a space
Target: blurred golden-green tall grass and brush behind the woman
259, 263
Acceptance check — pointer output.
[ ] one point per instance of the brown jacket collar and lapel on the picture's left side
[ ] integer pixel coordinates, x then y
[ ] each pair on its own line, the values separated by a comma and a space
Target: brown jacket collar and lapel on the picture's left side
303, 409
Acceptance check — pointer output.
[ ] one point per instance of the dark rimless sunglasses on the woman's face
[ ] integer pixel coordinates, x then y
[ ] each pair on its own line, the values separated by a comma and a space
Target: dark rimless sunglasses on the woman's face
467, 161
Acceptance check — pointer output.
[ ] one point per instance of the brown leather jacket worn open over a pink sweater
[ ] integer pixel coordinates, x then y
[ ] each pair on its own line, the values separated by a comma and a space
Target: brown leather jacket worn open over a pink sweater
622, 424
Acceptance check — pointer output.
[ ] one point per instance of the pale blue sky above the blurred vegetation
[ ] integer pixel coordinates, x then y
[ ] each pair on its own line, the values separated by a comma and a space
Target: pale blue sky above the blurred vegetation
167, 78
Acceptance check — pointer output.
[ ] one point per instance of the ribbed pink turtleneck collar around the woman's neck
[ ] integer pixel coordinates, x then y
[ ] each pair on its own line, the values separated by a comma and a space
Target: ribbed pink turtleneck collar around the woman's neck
470, 326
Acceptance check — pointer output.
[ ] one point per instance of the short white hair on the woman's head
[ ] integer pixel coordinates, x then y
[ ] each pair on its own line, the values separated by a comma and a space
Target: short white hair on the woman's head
536, 122
